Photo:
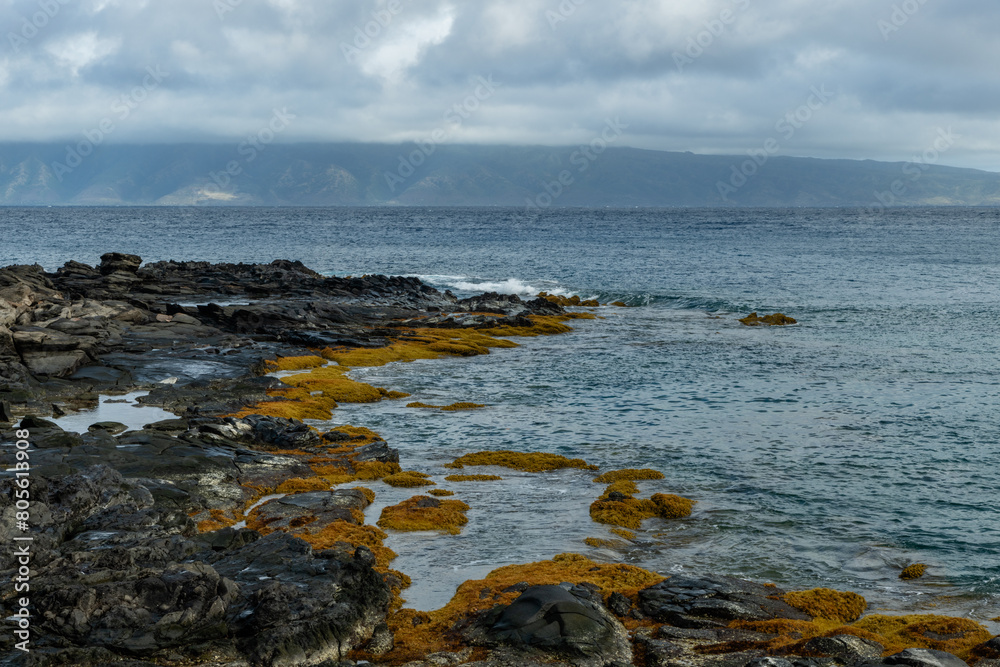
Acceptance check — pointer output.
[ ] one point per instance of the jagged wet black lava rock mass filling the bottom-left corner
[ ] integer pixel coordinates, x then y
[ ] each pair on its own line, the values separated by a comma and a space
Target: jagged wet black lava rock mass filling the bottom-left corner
115, 573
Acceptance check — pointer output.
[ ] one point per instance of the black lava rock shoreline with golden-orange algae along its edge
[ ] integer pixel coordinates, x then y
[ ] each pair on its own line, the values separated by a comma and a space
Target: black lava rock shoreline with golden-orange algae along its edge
234, 533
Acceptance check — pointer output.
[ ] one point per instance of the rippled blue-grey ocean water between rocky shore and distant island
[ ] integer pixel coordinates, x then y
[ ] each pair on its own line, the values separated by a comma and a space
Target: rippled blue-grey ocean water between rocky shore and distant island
832, 453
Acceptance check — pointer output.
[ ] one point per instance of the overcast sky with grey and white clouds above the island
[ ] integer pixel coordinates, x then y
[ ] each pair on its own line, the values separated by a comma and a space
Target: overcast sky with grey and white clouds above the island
856, 79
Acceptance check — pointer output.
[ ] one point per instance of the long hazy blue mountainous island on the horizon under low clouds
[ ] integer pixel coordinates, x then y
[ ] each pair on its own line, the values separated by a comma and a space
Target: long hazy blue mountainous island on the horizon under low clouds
428, 174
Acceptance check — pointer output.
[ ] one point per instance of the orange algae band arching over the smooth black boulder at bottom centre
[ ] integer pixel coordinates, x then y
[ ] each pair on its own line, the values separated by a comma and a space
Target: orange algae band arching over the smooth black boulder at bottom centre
418, 634
